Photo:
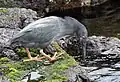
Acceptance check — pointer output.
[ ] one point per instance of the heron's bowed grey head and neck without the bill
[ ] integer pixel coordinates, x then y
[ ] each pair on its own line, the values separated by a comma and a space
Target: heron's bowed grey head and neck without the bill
76, 27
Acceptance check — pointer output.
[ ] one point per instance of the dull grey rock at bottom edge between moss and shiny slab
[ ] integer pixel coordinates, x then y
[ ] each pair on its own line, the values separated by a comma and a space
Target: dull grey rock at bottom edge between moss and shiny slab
77, 73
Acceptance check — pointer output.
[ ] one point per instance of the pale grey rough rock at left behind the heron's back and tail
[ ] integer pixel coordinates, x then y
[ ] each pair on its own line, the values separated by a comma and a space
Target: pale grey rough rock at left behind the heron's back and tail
11, 20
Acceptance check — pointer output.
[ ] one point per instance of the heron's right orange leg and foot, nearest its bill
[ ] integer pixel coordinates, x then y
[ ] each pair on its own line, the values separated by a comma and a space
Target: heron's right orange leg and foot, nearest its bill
51, 59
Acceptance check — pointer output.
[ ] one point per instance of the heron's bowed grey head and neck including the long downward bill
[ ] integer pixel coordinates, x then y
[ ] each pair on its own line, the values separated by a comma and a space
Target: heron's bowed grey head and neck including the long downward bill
80, 30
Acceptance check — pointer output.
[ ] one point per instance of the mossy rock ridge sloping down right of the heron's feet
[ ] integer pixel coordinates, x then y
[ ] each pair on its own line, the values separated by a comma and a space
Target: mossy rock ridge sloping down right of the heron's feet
55, 72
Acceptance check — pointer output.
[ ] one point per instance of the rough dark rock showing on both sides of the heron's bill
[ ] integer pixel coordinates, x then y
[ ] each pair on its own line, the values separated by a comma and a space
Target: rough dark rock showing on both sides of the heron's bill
101, 50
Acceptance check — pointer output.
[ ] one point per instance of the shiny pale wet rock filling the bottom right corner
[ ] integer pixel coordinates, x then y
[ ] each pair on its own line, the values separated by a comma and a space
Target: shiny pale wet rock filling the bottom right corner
105, 74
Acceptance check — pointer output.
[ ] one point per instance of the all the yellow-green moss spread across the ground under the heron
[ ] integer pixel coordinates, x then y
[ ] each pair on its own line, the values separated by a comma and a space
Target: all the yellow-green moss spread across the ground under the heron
54, 72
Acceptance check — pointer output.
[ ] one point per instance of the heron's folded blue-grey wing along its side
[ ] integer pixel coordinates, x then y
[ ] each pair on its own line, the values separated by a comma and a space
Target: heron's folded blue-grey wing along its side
39, 33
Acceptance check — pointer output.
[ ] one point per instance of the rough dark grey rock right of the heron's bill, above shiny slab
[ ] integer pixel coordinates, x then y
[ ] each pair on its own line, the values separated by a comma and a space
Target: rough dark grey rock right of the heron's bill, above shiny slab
106, 49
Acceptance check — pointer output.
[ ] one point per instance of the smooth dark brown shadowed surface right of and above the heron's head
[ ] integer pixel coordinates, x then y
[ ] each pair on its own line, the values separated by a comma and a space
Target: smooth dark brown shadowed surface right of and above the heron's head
103, 19
